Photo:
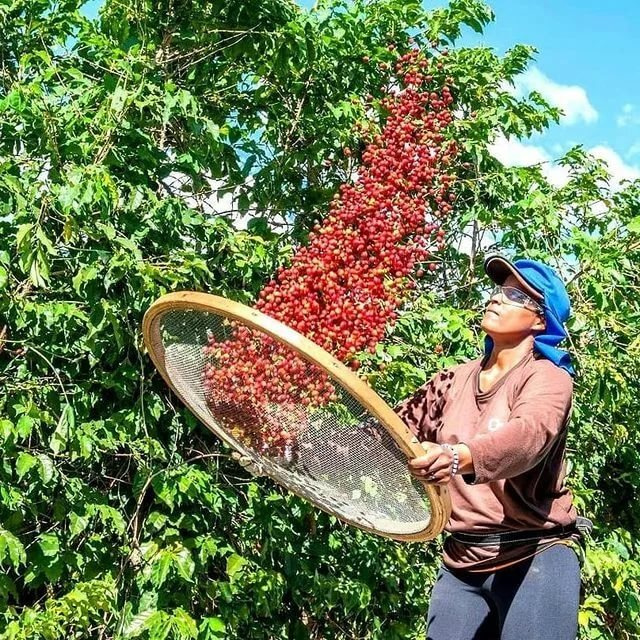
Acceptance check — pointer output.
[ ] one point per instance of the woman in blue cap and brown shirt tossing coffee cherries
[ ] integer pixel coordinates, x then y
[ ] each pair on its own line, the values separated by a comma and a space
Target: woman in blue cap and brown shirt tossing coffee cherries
494, 431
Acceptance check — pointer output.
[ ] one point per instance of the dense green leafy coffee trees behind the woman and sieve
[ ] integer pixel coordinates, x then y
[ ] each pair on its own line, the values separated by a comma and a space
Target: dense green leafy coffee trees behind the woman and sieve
121, 516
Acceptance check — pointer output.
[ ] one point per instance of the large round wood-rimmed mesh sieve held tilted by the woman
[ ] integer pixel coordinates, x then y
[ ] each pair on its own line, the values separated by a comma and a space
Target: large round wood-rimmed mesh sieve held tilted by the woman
306, 419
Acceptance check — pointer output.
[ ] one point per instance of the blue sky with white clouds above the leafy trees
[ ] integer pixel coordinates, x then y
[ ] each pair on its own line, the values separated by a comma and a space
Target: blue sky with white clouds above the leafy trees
587, 65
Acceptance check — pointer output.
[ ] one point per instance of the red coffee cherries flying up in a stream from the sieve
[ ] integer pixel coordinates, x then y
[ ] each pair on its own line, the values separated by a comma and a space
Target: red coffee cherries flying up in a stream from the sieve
343, 290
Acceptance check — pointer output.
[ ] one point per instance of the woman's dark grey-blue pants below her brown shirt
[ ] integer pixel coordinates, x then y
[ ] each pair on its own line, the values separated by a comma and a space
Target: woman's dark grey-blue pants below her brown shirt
536, 599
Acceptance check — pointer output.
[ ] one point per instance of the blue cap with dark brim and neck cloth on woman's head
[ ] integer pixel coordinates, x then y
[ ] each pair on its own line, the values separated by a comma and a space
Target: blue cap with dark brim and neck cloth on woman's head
545, 286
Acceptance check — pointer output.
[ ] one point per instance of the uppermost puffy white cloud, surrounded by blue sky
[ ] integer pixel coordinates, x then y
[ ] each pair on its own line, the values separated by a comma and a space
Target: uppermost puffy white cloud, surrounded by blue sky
571, 99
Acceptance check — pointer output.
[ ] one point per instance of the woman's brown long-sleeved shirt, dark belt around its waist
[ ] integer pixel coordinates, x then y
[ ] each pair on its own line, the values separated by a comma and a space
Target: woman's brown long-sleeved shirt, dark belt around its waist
516, 432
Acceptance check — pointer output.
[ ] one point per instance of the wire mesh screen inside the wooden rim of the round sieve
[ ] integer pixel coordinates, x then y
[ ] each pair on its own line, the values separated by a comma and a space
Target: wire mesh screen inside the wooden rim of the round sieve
288, 415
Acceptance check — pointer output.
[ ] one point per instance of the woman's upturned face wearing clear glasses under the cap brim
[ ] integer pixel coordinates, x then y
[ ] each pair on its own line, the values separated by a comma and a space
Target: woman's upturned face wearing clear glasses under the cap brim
506, 321
